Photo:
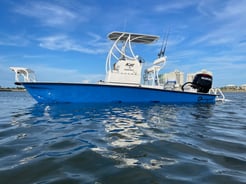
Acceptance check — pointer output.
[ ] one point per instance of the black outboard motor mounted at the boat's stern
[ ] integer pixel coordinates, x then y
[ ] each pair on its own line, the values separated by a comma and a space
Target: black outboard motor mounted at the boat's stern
202, 82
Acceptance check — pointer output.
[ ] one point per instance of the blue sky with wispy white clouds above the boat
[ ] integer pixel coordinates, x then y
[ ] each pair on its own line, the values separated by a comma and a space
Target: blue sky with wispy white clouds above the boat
66, 40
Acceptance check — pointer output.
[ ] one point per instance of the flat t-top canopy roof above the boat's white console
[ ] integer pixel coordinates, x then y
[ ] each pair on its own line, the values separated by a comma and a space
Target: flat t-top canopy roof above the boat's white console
135, 38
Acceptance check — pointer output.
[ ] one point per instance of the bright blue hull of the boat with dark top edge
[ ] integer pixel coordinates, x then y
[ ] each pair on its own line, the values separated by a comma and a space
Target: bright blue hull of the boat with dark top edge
44, 92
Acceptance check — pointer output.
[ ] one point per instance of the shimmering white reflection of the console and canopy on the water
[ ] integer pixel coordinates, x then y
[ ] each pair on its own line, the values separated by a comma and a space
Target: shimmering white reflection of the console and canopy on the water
132, 131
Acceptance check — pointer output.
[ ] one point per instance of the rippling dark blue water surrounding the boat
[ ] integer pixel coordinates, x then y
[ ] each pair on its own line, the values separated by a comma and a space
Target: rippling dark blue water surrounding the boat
122, 143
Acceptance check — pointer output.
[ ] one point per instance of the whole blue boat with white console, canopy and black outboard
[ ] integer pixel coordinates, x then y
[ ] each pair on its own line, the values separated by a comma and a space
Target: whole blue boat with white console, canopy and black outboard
126, 80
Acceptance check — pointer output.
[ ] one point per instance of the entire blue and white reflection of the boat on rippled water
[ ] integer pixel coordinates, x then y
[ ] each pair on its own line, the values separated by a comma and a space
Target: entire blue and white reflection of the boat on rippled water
129, 134
